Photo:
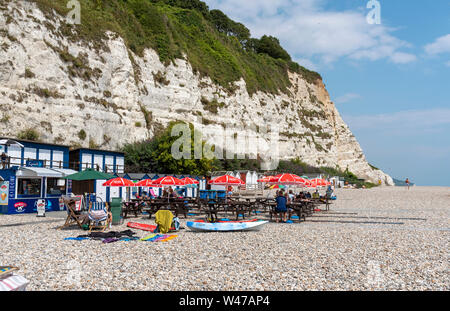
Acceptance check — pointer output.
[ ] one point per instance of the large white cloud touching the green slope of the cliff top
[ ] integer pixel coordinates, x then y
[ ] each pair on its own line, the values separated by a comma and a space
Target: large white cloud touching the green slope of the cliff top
307, 30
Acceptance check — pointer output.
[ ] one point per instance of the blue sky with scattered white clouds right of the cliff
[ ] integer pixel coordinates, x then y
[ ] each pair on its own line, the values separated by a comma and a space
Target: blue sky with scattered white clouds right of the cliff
389, 81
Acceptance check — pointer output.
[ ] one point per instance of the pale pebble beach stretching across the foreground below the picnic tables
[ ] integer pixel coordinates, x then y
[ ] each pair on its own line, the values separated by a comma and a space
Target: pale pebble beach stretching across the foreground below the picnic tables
386, 238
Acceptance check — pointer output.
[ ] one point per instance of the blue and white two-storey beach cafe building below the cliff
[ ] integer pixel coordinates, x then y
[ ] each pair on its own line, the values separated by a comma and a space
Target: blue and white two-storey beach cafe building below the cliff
34, 174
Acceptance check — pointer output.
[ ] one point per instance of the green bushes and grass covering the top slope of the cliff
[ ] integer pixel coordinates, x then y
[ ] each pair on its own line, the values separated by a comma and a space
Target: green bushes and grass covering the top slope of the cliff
214, 45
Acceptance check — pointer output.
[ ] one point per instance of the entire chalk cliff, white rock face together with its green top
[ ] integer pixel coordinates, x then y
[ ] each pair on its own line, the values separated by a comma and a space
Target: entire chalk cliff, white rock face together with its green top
78, 91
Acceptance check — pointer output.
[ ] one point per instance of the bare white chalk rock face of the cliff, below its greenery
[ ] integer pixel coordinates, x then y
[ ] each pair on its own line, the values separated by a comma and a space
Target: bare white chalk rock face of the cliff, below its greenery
74, 94
